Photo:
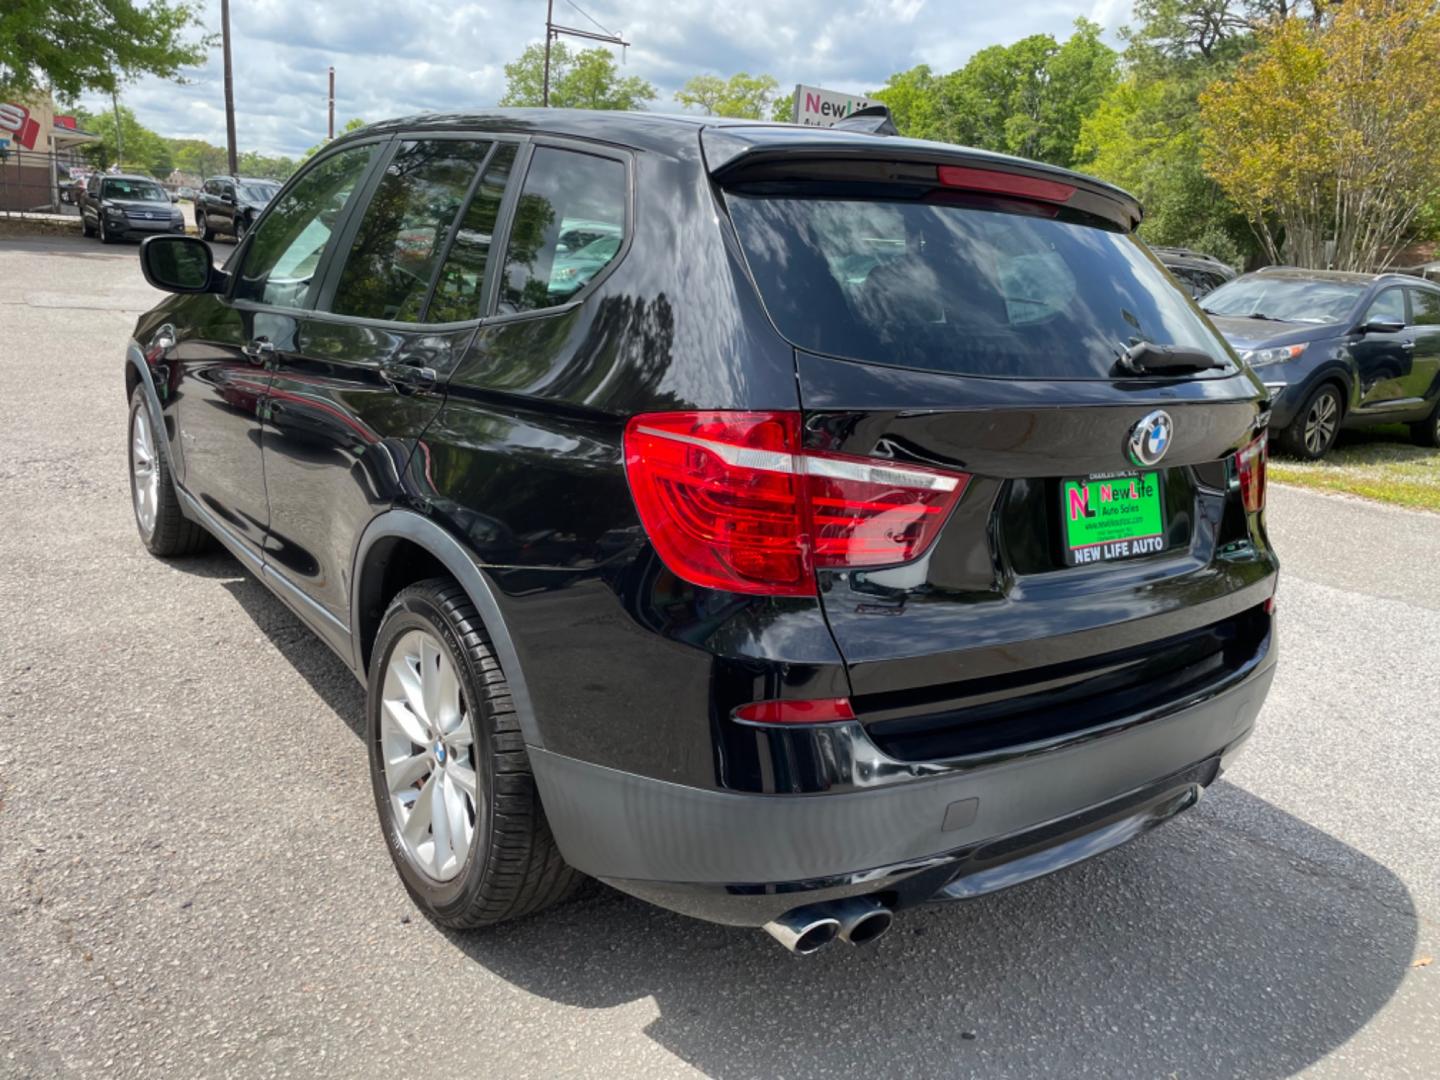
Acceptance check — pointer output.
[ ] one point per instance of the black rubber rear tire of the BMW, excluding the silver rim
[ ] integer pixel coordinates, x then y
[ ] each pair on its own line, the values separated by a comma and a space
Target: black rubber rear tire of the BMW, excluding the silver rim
513, 868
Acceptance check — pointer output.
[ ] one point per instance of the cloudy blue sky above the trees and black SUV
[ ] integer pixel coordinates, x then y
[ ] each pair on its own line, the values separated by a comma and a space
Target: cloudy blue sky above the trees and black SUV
404, 57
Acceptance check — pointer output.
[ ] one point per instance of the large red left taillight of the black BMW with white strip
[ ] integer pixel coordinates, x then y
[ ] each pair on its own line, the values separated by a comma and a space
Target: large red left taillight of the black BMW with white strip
732, 502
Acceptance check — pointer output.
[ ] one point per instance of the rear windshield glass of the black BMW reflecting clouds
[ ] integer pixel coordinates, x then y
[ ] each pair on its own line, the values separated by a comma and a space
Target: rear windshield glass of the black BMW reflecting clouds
960, 286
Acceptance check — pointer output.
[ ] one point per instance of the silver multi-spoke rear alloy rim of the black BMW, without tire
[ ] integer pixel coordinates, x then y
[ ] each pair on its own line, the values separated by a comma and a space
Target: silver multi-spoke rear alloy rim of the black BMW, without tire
428, 751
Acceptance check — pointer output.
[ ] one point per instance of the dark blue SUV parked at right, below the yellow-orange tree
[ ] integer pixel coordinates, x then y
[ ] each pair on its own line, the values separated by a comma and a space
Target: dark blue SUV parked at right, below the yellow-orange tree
1337, 351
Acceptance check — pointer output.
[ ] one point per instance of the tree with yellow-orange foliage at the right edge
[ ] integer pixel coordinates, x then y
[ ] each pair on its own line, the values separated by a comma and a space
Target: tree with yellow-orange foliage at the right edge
1328, 136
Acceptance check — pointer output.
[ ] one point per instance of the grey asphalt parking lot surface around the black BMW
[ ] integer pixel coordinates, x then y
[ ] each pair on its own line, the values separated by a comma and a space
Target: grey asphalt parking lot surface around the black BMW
192, 882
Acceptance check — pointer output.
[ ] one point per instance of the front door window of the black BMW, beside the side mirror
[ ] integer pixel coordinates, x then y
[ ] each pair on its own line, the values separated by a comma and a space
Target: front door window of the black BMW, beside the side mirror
284, 251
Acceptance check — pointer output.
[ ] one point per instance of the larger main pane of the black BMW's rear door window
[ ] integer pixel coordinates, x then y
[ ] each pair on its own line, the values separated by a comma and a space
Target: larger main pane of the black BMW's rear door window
404, 231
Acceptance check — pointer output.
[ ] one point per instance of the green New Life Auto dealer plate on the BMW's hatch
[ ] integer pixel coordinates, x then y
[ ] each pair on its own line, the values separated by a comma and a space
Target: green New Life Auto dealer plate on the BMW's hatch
1112, 516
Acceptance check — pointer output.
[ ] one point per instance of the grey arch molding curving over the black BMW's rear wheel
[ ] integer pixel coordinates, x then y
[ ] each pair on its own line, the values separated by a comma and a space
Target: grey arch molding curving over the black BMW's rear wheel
374, 555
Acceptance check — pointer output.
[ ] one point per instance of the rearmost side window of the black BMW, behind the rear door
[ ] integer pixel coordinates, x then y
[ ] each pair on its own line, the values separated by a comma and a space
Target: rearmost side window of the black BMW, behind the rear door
570, 225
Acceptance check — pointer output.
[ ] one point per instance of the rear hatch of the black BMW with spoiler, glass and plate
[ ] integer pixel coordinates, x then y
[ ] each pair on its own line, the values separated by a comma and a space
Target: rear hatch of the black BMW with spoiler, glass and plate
1107, 557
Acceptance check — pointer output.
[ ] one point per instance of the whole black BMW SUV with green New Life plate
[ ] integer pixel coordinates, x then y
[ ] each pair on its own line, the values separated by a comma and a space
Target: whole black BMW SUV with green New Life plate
866, 522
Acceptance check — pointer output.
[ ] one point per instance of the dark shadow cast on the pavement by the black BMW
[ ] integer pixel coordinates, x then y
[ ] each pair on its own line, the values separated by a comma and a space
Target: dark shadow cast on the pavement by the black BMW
1238, 941
